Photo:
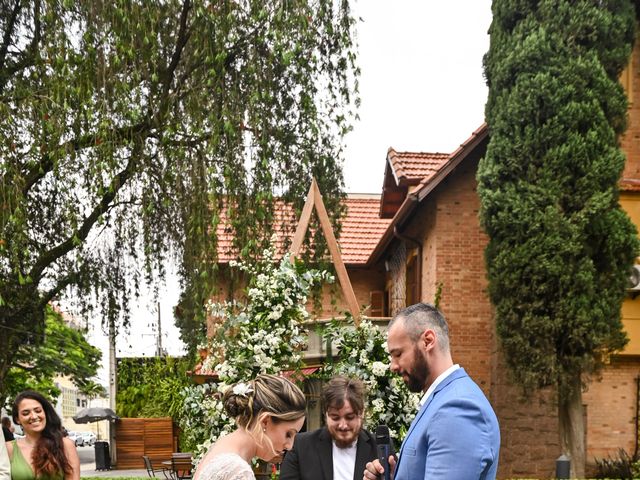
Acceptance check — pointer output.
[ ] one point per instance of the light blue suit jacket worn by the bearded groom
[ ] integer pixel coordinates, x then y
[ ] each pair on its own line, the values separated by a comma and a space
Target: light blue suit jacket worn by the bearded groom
455, 435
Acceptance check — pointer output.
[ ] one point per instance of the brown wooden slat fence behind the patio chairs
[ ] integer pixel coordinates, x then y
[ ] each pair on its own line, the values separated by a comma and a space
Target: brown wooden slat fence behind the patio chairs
155, 437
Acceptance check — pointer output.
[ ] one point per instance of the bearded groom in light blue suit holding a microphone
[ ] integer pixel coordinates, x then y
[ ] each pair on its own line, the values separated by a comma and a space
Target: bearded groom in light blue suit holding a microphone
455, 435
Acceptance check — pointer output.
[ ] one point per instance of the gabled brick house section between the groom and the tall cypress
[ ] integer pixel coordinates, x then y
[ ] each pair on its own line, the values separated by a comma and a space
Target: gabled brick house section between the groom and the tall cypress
434, 246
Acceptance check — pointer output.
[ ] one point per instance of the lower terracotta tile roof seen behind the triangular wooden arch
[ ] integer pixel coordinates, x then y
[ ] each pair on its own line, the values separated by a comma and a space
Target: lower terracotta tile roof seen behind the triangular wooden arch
361, 230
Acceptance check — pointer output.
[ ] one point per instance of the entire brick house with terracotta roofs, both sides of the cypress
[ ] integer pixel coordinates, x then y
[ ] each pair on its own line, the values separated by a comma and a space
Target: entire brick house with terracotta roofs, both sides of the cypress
421, 239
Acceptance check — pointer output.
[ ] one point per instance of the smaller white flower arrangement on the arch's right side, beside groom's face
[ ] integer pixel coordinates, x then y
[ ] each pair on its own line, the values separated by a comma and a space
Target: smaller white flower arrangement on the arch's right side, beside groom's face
363, 354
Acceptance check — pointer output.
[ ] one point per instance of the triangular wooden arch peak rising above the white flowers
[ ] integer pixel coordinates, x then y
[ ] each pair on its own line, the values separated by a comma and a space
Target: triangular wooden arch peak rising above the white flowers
314, 199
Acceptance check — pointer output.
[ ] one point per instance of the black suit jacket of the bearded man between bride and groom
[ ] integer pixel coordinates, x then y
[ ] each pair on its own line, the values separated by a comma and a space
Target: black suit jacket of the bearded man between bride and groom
311, 457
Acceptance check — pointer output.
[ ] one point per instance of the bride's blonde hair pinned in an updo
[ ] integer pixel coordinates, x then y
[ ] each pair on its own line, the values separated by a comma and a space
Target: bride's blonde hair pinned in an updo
266, 395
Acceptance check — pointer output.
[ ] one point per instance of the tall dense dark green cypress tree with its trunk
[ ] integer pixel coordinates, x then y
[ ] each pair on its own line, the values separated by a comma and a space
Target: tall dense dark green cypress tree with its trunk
560, 246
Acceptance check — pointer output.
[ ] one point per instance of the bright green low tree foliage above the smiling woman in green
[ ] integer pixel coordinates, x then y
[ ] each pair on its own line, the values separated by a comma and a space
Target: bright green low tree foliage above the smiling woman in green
63, 350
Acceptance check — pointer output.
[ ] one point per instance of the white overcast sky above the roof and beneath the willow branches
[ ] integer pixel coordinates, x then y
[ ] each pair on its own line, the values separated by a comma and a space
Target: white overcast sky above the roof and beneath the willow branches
422, 89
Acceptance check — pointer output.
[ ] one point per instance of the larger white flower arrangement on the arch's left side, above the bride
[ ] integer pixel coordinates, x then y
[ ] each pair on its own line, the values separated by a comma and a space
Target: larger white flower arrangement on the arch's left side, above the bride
263, 335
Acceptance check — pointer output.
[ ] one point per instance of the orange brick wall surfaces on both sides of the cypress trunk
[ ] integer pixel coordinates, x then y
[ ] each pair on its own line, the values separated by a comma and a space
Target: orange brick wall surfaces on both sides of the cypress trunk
454, 245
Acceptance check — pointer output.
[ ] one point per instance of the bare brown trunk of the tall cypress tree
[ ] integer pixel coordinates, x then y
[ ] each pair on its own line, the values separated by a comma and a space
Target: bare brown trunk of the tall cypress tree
571, 422
